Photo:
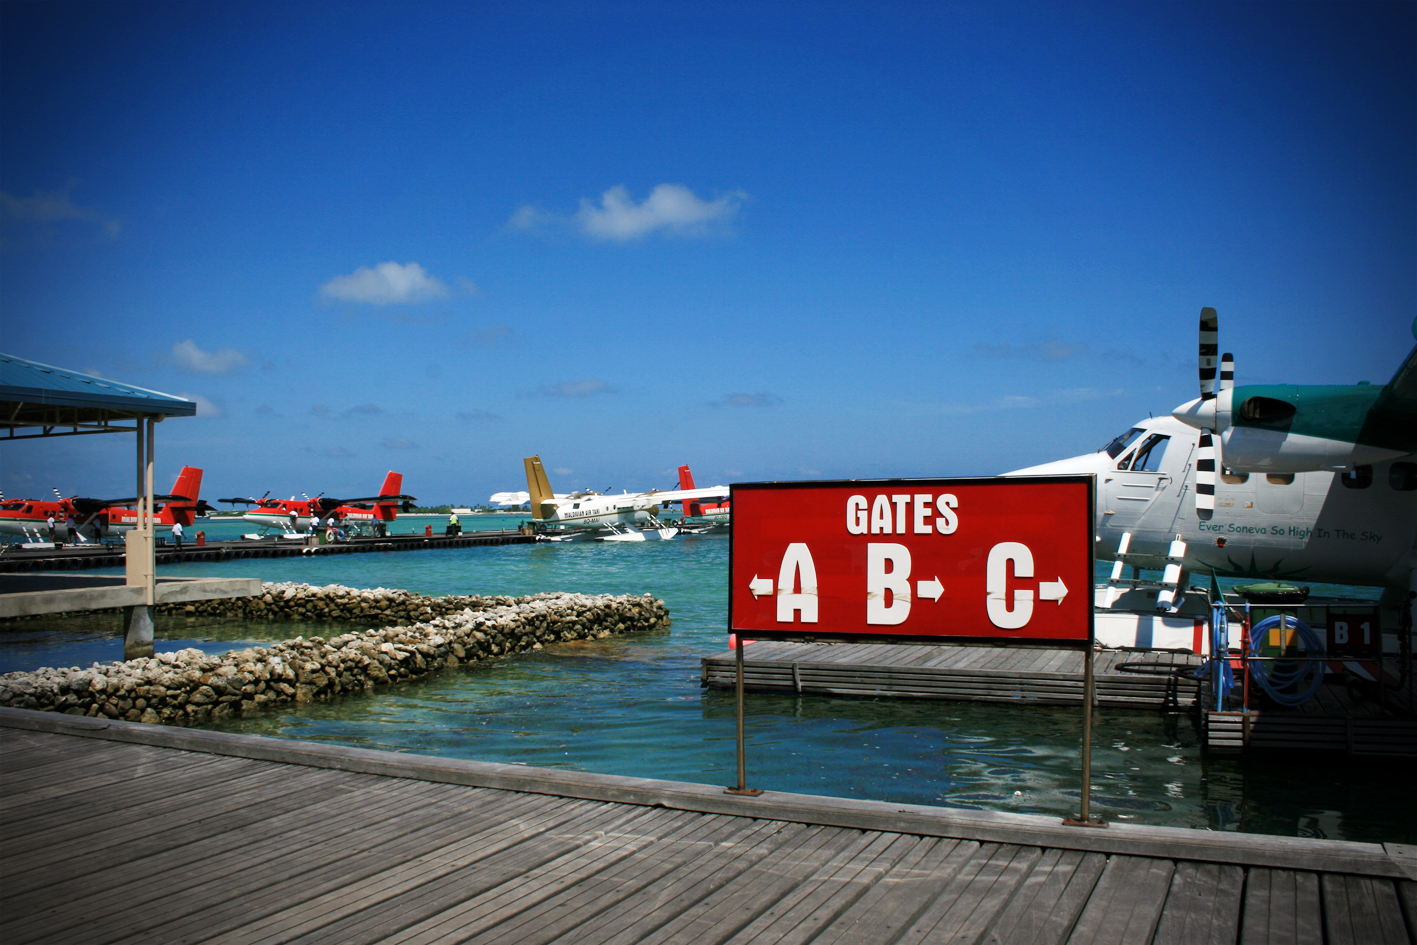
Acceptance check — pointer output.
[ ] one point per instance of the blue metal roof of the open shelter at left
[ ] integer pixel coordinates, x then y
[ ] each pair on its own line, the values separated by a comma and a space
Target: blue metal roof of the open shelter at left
56, 402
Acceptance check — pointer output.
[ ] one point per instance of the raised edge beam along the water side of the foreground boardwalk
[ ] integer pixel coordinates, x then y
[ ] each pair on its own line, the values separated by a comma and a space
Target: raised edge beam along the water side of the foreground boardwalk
1180, 844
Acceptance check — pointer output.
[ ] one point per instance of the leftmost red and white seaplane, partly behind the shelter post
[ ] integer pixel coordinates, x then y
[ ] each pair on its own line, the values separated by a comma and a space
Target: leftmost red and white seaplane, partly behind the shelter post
97, 519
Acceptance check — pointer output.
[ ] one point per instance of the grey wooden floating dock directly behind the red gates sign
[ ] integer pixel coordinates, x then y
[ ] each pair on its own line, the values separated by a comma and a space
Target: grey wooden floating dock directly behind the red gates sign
1163, 681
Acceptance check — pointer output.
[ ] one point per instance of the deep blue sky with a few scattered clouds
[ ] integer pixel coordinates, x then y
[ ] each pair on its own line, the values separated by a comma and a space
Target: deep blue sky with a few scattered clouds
773, 242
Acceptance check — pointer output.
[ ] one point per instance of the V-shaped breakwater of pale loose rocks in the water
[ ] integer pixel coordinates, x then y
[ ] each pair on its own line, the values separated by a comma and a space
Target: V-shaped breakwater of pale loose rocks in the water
192, 688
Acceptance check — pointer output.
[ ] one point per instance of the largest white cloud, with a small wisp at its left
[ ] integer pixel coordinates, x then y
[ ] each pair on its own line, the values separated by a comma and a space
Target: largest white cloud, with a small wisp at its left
617, 217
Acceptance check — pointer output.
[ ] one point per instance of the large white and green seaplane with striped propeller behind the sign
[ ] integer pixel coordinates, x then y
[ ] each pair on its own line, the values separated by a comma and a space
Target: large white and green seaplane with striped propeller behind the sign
1273, 482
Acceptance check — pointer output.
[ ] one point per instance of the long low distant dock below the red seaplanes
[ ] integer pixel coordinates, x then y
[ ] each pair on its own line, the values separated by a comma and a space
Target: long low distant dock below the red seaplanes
79, 558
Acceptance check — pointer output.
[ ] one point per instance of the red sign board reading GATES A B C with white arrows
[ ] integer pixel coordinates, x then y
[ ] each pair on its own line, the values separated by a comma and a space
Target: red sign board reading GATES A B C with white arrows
1007, 559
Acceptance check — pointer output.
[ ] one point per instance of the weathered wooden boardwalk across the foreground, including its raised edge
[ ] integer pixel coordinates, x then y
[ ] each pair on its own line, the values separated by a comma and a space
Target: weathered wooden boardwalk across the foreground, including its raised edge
117, 832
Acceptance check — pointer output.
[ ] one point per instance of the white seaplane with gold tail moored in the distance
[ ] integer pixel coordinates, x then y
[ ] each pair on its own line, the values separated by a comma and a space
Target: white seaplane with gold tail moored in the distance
597, 516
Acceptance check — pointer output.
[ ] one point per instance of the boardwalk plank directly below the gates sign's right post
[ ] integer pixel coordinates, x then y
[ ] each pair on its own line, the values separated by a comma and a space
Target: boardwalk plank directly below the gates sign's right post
1051, 900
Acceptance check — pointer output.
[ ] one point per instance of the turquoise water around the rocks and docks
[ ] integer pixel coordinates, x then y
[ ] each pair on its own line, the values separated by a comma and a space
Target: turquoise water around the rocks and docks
633, 706
